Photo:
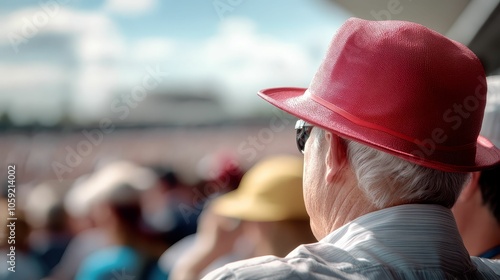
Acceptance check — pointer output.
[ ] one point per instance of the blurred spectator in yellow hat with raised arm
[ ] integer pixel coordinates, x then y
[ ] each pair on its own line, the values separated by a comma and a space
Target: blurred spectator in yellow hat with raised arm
264, 216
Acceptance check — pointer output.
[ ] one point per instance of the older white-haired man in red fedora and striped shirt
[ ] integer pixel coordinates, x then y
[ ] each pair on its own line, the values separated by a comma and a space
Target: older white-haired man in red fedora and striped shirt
393, 116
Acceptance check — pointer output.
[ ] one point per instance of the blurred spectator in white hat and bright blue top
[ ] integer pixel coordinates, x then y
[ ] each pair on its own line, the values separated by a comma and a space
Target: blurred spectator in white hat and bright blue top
115, 242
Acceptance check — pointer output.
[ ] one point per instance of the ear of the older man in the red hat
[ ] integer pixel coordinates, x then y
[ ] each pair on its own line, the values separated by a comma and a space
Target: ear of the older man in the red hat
336, 155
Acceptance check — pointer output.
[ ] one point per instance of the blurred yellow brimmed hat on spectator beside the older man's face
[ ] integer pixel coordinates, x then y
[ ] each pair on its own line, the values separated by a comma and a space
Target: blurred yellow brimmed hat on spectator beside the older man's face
270, 191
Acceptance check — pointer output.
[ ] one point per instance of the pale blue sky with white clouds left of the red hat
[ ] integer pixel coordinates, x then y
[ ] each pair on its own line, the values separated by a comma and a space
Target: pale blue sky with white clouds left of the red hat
60, 56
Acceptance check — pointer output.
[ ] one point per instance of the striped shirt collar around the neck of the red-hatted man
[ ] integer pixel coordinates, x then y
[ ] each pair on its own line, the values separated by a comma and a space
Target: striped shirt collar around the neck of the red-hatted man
411, 234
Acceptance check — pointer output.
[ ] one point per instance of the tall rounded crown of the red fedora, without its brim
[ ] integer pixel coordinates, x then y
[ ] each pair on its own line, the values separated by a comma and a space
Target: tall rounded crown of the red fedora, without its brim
406, 80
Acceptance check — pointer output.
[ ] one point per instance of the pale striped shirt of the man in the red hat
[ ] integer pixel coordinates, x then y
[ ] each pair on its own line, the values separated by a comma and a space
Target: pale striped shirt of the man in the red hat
402, 242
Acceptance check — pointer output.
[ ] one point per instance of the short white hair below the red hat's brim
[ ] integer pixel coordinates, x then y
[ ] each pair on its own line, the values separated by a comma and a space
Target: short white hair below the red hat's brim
388, 180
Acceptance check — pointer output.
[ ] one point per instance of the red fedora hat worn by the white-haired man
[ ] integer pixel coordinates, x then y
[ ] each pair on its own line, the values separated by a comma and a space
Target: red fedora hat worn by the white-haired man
401, 88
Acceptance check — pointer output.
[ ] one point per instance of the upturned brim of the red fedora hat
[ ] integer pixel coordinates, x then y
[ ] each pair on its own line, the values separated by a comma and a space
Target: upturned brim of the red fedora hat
294, 101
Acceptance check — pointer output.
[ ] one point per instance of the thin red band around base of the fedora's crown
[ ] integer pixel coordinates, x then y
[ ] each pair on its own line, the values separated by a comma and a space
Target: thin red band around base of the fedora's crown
377, 127
